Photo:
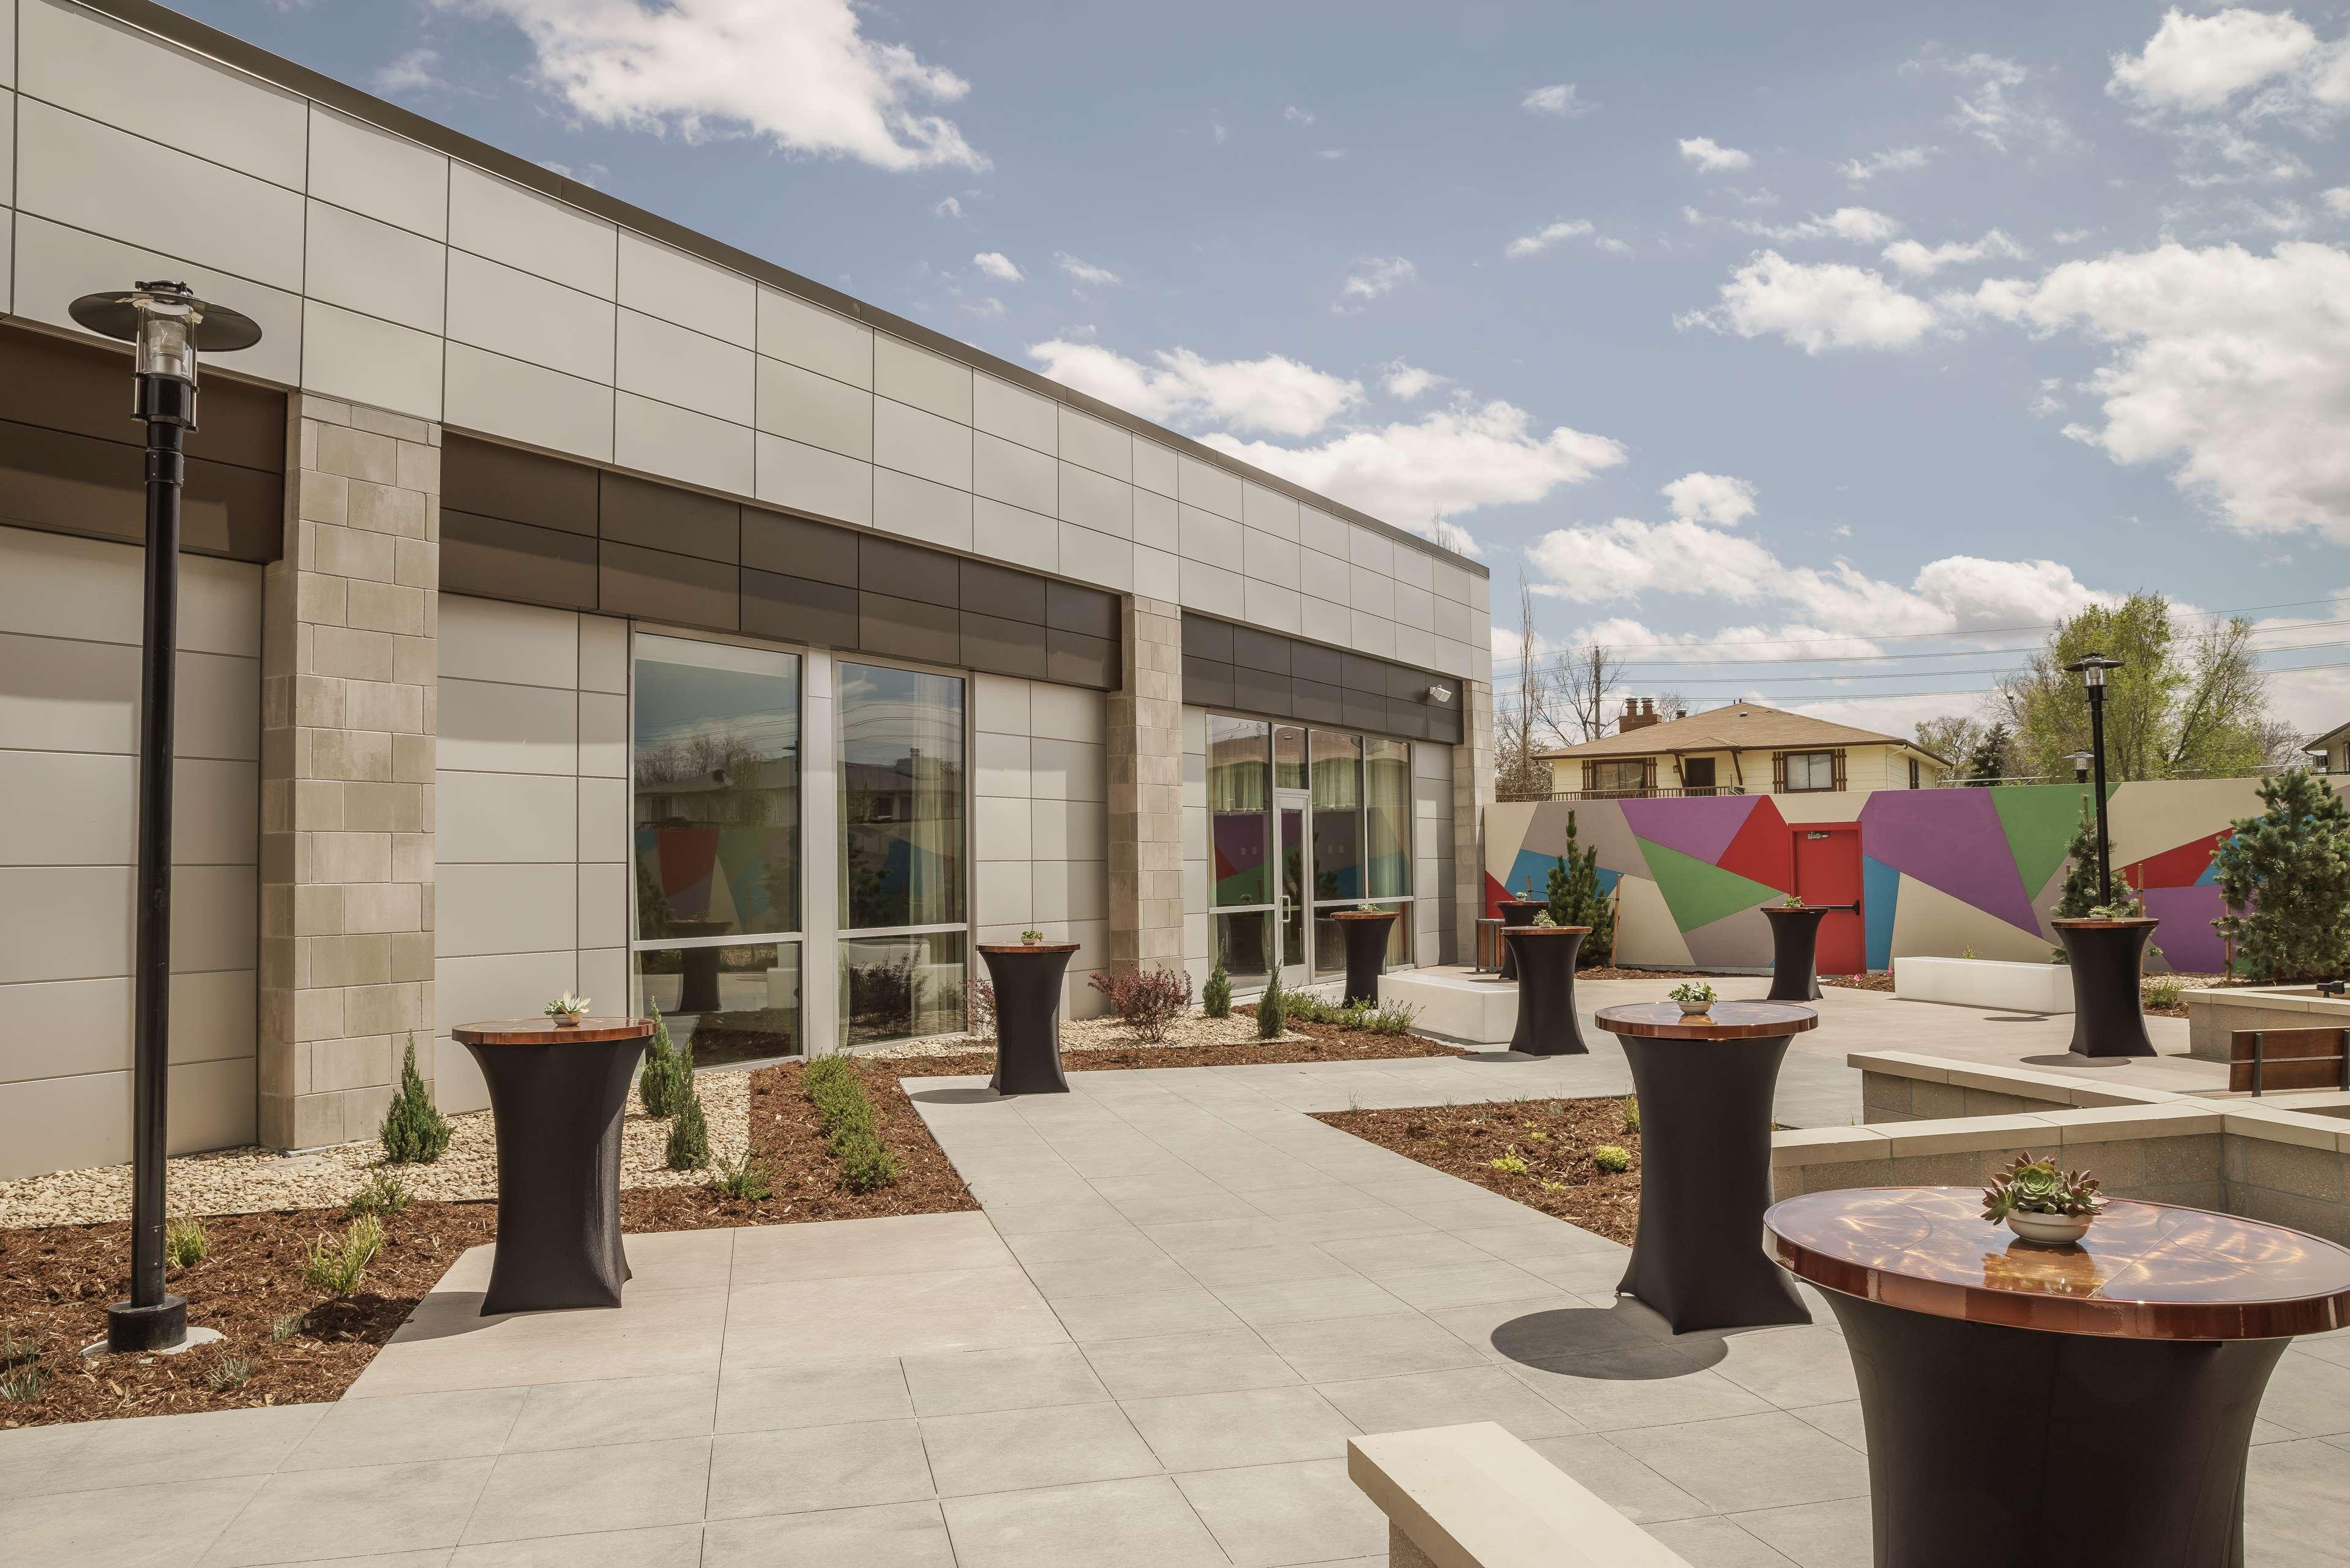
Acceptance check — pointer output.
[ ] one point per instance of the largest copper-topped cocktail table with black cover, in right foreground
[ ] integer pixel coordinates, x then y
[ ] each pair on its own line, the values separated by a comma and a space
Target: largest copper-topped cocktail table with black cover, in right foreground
2074, 1405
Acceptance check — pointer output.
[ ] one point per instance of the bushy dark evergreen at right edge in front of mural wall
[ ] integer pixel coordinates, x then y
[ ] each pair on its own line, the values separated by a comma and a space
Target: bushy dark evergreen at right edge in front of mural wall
2285, 878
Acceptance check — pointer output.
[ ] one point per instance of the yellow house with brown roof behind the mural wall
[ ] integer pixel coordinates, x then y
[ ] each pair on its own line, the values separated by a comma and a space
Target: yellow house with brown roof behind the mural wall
1743, 749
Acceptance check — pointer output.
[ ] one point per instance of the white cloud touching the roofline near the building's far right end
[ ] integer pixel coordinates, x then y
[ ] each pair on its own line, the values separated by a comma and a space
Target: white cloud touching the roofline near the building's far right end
1444, 464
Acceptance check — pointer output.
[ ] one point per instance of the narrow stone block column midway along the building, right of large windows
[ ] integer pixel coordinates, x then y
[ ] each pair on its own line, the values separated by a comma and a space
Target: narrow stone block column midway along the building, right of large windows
1146, 791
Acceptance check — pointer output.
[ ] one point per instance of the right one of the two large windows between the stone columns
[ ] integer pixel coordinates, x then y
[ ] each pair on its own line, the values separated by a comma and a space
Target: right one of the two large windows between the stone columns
904, 852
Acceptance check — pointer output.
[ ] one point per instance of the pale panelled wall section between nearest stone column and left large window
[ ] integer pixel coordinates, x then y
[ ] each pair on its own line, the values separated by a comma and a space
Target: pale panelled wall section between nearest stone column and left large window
532, 822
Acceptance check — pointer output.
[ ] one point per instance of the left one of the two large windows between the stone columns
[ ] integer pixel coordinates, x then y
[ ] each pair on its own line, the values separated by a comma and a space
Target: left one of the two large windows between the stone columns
716, 768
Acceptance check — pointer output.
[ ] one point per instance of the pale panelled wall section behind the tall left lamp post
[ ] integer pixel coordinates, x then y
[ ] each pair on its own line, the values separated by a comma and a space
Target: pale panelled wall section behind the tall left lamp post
69, 779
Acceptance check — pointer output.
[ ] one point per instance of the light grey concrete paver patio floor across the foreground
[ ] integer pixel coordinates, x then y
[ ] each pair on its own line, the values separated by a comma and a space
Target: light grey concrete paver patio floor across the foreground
1150, 1348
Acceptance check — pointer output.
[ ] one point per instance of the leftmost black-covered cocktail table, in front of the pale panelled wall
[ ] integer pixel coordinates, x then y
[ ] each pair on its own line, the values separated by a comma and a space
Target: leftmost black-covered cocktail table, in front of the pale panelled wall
558, 1094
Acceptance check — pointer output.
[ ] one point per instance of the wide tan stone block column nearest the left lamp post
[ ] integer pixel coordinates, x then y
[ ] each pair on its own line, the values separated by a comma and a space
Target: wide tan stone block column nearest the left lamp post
349, 711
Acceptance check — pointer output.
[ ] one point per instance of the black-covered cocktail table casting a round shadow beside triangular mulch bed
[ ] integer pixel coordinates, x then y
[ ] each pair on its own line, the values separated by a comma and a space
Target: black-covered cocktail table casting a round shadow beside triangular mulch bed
1705, 1160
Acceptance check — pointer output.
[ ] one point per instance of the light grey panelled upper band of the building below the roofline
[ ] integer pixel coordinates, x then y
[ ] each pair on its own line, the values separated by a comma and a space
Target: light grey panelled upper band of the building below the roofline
391, 274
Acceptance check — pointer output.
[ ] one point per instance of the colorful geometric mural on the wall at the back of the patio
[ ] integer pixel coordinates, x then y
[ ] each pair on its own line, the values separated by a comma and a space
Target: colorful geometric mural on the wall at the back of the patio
1940, 871
